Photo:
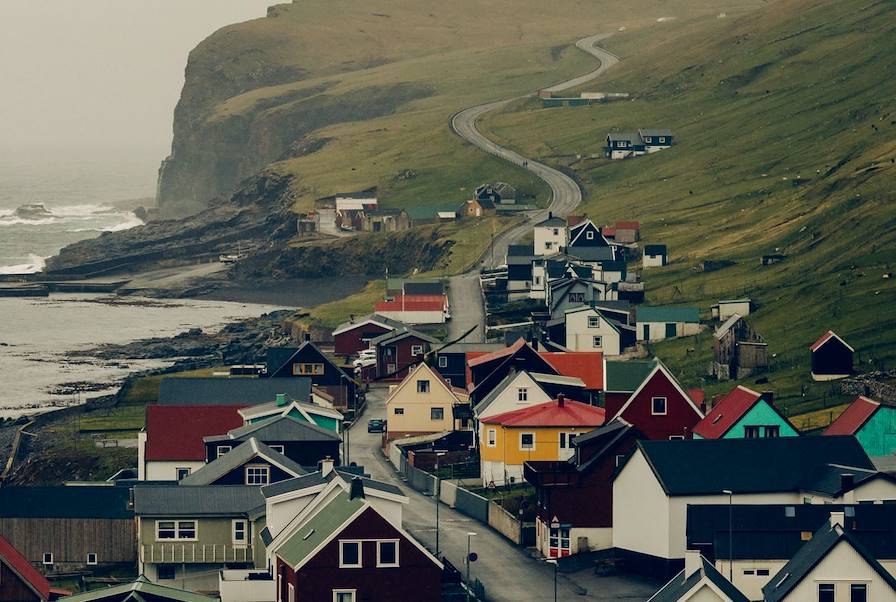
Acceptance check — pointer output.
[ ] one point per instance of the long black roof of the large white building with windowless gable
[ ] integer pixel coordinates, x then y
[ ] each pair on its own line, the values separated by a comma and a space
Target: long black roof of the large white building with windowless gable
708, 466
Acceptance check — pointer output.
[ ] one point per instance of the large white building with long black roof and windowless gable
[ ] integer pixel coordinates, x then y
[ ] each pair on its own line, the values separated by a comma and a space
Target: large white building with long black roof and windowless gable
652, 491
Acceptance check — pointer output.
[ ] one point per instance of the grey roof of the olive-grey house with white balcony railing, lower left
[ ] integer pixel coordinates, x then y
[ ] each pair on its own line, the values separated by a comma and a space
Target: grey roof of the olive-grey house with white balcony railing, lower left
205, 500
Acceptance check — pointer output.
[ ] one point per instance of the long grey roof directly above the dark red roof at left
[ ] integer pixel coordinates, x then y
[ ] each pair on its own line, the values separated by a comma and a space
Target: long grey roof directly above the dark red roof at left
223, 390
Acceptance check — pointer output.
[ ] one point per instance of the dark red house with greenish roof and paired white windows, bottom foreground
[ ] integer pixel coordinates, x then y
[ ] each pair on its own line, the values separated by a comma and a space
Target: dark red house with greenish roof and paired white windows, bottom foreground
348, 552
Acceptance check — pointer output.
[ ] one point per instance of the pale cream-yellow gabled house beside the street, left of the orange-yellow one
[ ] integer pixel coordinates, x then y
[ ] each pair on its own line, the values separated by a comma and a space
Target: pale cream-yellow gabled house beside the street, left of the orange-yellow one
422, 403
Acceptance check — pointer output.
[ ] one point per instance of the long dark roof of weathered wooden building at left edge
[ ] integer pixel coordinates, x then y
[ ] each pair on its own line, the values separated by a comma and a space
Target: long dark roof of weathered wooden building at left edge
61, 501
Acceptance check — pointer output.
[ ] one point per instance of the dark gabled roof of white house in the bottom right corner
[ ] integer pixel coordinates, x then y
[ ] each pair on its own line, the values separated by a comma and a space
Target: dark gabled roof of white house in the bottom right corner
812, 553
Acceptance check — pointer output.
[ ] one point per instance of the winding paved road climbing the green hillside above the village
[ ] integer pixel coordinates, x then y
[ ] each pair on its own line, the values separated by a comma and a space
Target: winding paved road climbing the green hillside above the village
466, 306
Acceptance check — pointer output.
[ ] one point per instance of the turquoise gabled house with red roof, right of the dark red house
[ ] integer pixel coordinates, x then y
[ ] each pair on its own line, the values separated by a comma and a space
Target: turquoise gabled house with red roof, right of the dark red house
744, 414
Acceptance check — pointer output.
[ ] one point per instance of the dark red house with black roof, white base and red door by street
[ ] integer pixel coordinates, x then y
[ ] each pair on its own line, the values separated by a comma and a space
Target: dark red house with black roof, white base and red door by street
565, 524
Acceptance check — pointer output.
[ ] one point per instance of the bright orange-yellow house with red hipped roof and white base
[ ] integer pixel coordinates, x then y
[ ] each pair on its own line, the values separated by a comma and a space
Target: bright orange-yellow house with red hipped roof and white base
540, 432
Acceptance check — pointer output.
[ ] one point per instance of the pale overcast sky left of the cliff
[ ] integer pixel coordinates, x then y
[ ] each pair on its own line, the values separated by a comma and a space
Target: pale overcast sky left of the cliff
100, 76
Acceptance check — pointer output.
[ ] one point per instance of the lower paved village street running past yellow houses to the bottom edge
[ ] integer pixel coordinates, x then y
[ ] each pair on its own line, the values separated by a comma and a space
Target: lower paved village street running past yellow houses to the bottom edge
506, 570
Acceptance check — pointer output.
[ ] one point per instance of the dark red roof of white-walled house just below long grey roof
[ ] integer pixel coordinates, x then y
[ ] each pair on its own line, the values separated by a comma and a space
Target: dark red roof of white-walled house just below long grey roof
176, 432
